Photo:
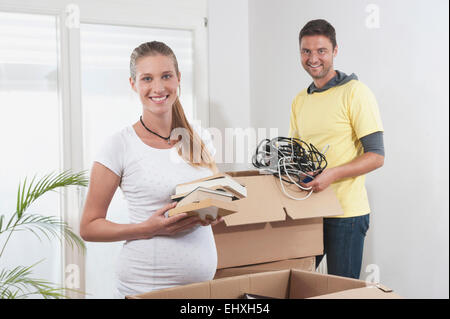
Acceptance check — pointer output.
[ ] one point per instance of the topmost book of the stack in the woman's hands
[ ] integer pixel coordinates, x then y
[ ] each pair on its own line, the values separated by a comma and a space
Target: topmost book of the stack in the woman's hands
217, 181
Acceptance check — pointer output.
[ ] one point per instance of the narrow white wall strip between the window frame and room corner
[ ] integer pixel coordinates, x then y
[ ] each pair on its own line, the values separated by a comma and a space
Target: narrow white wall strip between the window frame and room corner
229, 78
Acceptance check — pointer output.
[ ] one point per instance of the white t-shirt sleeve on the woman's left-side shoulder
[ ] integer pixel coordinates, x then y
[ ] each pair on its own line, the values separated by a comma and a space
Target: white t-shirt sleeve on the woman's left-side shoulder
111, 154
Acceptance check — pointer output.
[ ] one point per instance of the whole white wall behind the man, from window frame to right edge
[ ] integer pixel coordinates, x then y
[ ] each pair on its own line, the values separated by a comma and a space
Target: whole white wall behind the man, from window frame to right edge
405, 63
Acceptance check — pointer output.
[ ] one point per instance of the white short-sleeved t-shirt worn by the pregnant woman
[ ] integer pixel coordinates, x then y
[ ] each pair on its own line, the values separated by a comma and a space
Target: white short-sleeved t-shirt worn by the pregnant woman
148, 179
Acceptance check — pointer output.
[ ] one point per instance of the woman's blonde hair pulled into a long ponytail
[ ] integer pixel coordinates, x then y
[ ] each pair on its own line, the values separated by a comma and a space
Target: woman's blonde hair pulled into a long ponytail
192, 149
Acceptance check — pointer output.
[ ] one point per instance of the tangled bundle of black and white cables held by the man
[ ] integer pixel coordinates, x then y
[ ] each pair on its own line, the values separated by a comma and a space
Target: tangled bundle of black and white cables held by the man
288, 157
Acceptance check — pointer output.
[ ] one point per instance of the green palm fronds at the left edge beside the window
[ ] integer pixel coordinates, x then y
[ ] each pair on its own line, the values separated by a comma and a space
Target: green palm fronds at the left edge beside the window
18, 282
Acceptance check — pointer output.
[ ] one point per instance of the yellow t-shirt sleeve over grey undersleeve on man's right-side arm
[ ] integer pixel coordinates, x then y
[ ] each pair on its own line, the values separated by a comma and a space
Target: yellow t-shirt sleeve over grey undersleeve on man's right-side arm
364, 112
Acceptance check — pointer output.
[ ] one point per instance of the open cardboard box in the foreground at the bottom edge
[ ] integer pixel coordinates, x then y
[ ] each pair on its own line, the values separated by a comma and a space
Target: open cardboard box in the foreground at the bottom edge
283, 284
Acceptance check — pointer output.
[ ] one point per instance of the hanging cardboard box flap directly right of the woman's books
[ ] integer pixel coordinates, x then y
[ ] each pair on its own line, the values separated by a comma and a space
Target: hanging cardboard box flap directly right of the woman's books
261, 205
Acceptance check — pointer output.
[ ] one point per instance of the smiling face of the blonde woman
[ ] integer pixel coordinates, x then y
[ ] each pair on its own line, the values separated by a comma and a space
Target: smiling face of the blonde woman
156, 83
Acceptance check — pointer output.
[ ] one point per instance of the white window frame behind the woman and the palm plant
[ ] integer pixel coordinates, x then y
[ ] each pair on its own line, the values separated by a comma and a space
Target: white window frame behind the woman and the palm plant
167, 14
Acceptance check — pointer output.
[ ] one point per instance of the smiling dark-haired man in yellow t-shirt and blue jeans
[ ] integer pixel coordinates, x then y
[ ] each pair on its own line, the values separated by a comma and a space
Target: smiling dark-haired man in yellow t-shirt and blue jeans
339, 112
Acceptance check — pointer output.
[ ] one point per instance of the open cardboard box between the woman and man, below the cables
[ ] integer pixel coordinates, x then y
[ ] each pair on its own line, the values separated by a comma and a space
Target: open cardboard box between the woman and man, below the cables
269, 226
